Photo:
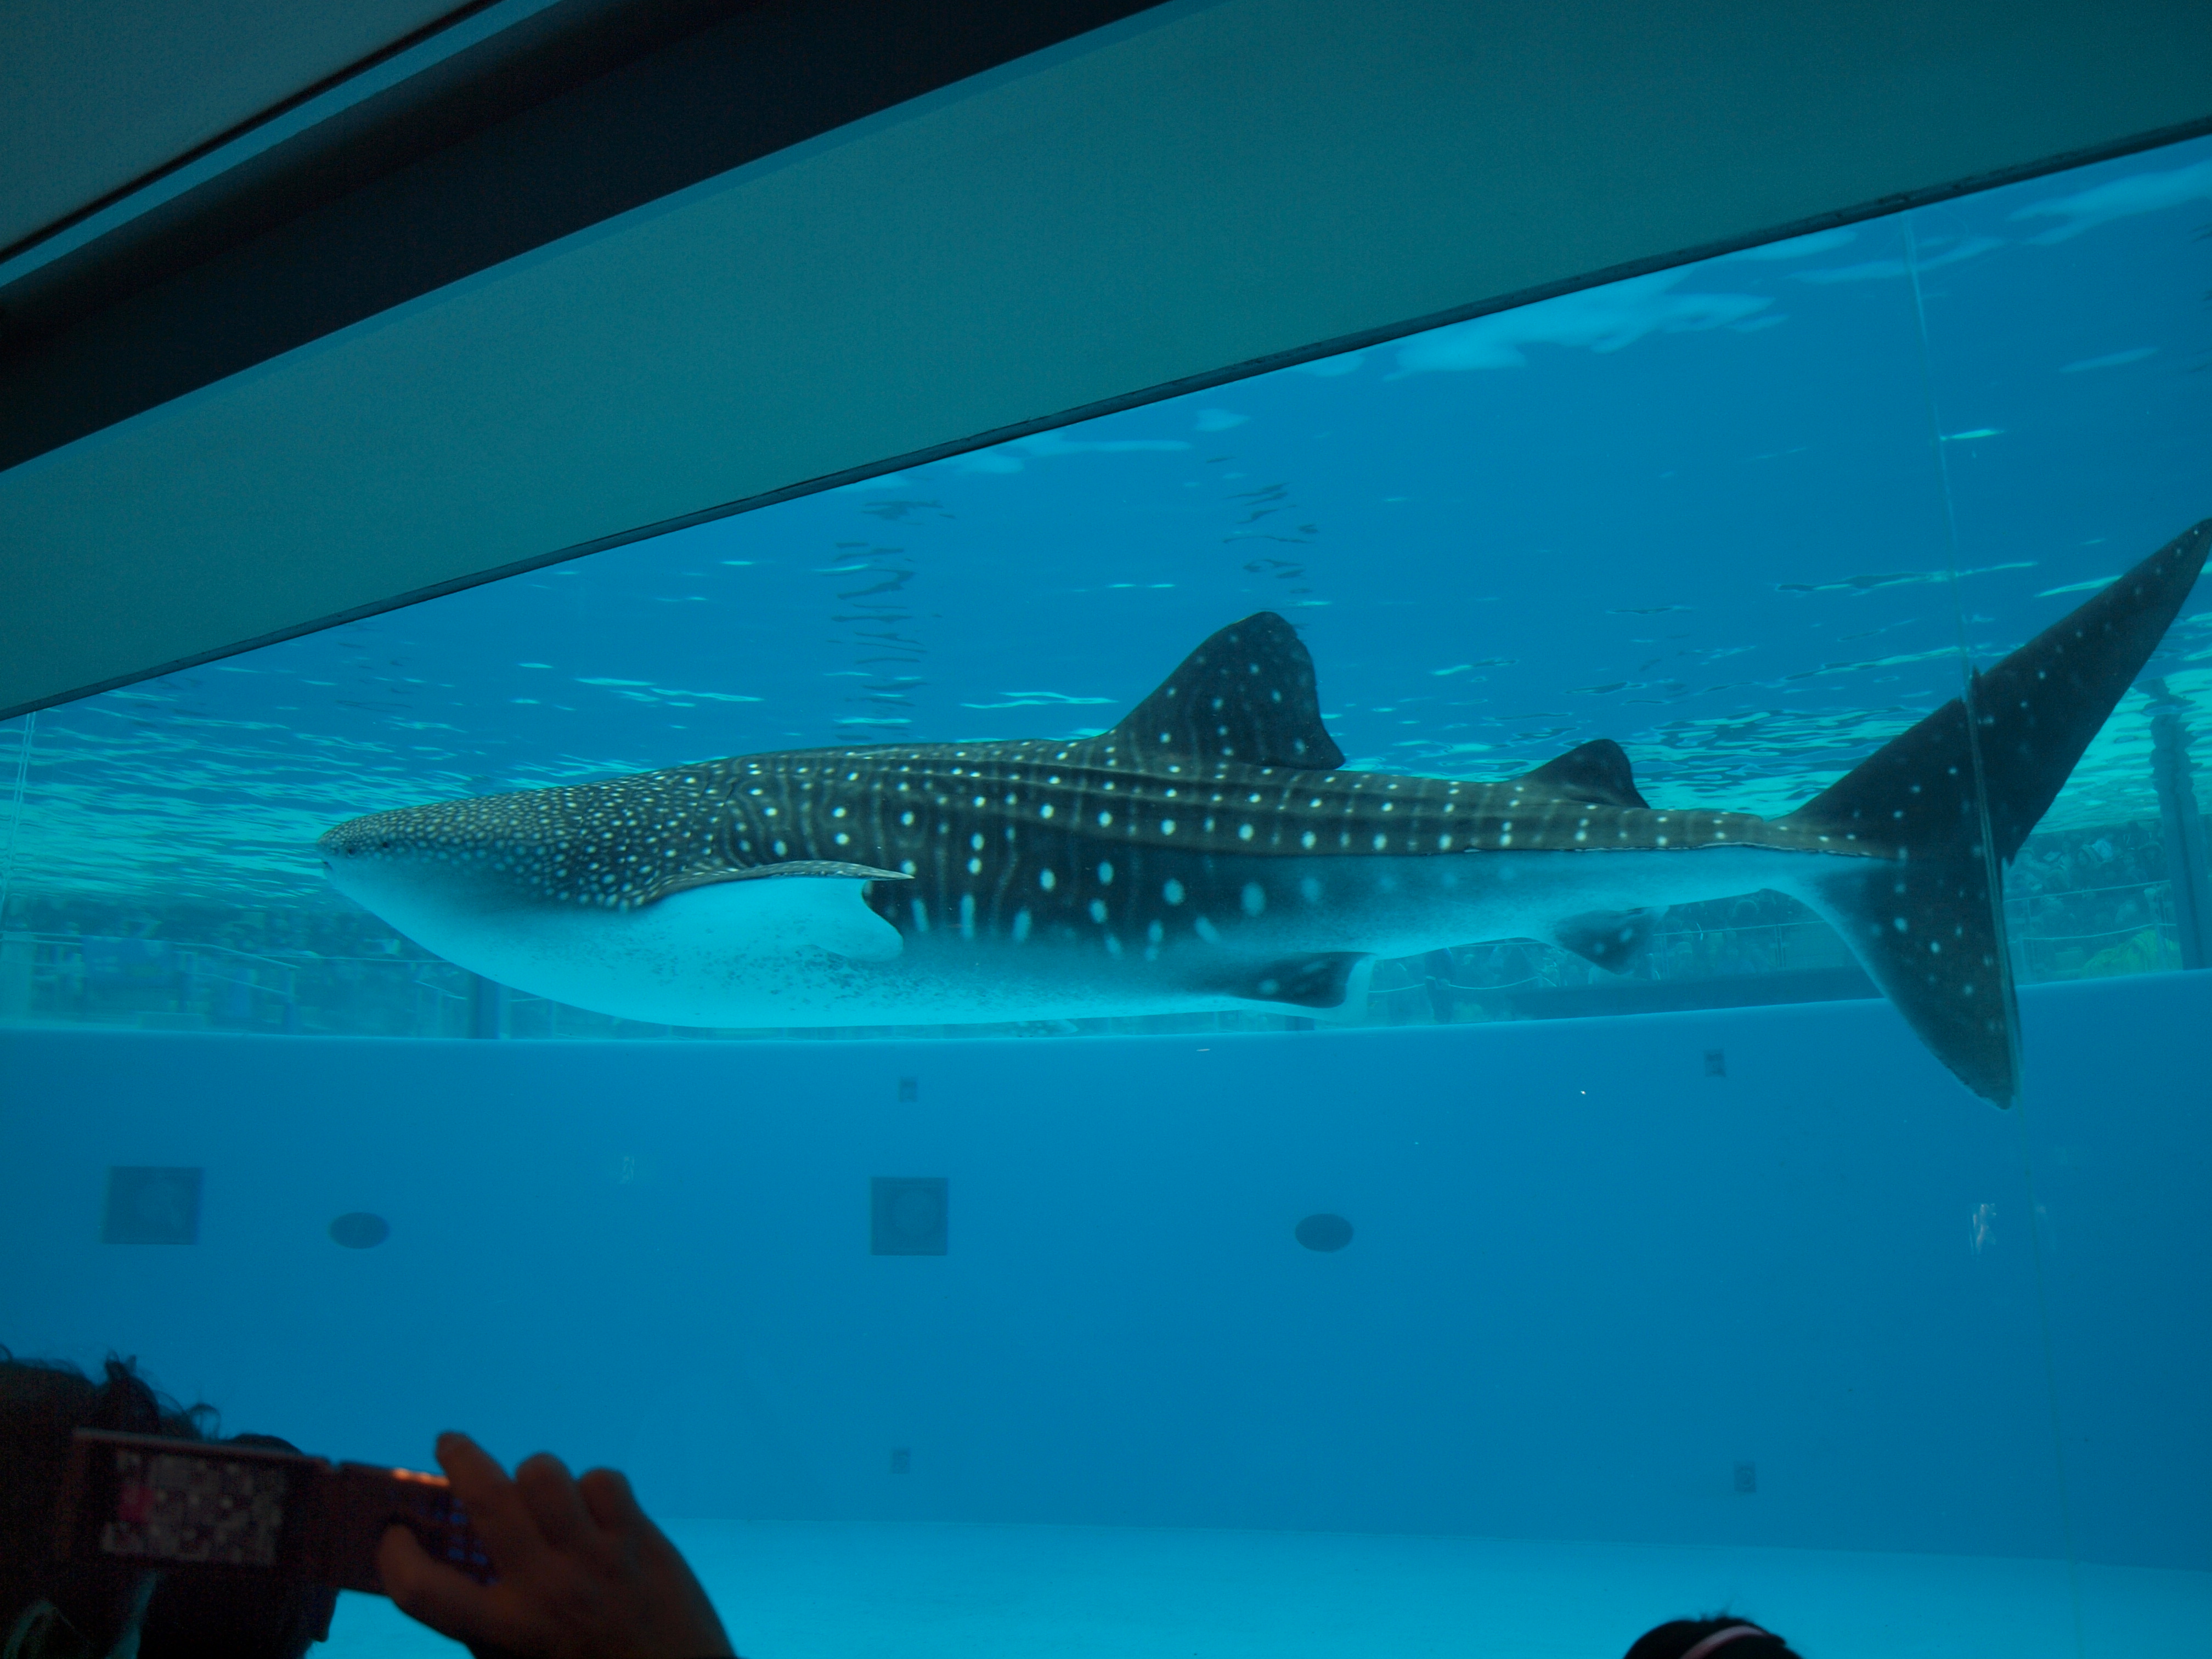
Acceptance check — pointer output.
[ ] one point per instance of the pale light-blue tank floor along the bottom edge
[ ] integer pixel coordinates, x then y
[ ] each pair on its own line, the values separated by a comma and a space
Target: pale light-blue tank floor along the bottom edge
961, 1592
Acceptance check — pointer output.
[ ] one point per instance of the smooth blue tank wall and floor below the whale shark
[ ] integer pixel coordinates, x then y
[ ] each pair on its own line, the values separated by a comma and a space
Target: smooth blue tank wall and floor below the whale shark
1589, 1284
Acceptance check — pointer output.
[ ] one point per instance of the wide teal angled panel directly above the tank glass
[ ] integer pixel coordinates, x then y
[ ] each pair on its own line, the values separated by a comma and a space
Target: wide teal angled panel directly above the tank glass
1189, 194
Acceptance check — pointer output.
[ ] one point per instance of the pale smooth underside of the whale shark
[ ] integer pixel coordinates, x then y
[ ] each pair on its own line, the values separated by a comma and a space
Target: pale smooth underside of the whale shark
811, 952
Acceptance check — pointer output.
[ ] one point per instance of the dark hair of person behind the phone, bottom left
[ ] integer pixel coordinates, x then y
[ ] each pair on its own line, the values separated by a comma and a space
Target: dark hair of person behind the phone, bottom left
41, 1406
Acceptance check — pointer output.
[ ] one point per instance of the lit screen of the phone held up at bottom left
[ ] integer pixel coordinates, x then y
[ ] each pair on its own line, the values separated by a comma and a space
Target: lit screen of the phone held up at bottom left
169, 1507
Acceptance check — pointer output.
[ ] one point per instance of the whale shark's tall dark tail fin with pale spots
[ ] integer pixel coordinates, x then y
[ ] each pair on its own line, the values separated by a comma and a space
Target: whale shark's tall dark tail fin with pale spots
1923, 917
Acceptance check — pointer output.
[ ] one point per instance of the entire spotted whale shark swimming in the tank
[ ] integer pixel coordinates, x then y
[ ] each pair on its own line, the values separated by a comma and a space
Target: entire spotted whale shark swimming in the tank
1213, 853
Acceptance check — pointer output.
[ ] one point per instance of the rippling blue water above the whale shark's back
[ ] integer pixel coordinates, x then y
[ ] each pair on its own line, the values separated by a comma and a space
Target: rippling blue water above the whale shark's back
1711, 514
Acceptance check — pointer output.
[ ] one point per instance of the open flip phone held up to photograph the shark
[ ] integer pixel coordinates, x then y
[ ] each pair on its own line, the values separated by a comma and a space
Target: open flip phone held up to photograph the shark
180, 1505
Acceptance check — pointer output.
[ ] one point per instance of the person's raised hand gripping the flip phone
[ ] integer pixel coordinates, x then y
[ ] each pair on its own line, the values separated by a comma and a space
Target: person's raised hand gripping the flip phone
583, 1572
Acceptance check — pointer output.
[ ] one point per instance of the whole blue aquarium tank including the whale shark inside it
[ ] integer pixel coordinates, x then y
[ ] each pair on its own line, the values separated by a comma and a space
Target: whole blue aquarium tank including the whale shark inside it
1304, 1019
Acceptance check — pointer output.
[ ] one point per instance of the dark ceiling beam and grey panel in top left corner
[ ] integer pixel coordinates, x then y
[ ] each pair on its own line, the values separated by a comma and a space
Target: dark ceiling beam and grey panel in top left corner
559, 118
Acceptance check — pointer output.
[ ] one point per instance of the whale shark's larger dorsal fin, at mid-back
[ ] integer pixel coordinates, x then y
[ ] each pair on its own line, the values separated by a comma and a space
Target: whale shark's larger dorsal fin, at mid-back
1244, 696
